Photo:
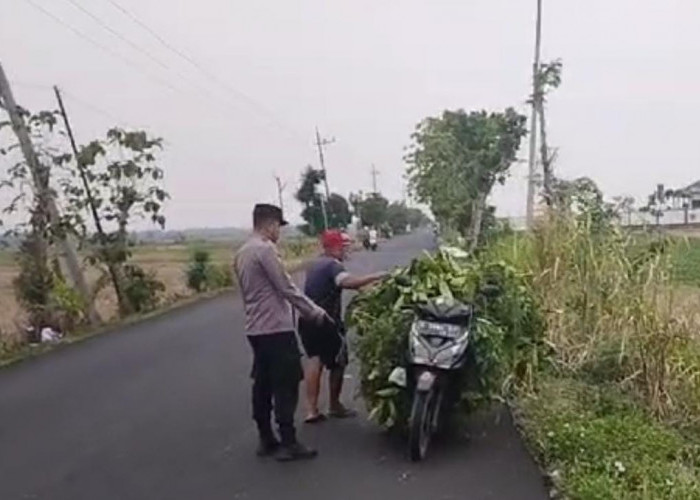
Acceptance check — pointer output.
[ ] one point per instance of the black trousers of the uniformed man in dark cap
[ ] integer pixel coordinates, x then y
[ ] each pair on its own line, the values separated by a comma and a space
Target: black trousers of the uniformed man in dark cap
276, 375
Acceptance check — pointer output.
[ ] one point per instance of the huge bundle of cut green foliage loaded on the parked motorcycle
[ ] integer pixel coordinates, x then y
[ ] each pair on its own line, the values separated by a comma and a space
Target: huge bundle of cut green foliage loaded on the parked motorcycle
505, 338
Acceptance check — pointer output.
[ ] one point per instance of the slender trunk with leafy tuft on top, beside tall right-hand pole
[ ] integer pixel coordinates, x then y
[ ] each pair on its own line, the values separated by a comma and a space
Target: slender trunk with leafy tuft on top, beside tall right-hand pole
548, 78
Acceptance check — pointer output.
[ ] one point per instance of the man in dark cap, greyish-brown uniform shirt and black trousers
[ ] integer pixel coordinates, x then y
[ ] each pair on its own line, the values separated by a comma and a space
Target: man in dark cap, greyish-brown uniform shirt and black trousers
267, 292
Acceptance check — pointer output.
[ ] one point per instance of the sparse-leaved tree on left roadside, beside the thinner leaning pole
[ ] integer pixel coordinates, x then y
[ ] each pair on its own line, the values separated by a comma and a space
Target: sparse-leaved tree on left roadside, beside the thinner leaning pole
123, 181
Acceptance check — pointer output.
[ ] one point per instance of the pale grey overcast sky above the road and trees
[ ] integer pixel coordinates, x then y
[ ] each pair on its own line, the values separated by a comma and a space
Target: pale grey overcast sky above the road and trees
256, 78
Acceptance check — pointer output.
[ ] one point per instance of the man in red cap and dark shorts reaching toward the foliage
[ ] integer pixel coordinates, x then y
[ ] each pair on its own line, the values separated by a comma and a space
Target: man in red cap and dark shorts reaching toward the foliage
325, 345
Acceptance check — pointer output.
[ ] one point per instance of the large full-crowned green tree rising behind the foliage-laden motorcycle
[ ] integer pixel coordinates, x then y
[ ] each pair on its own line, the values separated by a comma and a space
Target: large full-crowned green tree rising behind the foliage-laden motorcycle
455, 160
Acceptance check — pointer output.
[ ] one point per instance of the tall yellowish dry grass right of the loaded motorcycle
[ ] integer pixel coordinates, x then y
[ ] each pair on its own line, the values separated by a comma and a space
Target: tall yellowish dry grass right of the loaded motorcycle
610, 311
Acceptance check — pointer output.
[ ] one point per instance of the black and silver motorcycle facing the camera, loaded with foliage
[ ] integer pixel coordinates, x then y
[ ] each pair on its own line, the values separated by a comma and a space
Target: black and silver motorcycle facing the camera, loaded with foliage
438, 352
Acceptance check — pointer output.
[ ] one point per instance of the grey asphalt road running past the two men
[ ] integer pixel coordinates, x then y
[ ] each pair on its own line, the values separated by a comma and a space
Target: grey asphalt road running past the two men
160, 410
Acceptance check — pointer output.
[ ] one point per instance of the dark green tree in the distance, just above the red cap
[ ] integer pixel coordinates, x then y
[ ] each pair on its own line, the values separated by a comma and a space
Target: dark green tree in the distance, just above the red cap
337, 207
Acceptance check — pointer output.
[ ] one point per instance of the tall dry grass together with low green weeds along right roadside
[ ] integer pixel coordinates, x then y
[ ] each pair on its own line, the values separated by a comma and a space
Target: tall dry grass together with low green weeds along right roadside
615, 409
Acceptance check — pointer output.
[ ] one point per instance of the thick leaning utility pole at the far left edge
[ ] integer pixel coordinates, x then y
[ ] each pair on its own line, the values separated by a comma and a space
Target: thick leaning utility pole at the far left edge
40, 179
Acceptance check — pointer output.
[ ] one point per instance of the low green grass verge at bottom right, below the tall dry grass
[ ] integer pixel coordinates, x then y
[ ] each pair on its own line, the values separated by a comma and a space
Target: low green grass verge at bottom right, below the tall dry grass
595, 443
